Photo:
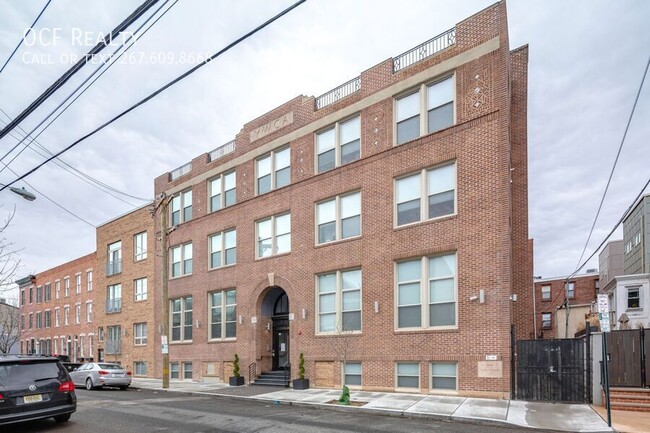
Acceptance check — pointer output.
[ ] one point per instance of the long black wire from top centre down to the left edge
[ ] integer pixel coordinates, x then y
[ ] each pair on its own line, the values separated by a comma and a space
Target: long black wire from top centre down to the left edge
162, 89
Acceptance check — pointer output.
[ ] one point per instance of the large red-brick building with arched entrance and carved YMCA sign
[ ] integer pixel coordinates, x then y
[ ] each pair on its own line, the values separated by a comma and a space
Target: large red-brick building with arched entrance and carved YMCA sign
383, 224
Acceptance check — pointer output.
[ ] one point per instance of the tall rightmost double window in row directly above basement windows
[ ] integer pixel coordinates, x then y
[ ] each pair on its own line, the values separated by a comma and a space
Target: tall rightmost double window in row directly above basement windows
425, 281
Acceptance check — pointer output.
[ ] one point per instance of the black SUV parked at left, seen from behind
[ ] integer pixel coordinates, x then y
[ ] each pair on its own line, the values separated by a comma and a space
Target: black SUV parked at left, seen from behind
34, 387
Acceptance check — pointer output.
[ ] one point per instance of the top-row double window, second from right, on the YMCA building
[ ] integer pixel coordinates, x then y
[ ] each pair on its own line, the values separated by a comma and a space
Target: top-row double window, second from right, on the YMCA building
339, 144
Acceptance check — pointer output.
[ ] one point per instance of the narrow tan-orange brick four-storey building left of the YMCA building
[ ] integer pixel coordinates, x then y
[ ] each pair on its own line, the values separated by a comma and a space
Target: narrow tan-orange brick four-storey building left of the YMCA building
126, 297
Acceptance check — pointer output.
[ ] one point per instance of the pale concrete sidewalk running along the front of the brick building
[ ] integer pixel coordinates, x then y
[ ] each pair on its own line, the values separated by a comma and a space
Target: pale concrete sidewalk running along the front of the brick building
564, 417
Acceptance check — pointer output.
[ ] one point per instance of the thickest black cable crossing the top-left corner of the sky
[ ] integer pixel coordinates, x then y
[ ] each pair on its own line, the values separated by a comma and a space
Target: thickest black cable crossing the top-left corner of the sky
77, 66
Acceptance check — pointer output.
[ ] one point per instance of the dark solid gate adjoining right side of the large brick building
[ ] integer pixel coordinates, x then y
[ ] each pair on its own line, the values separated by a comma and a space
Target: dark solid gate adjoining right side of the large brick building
552, 370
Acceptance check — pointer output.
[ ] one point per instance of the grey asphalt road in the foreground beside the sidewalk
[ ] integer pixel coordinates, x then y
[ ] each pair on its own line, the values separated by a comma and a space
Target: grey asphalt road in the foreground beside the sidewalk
142, 411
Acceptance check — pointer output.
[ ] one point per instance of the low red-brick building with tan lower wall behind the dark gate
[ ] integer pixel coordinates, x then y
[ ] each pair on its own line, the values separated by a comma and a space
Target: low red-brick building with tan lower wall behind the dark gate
550, 305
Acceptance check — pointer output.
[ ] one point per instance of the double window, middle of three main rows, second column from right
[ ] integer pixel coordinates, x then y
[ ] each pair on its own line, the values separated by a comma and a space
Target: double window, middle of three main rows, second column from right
339, 218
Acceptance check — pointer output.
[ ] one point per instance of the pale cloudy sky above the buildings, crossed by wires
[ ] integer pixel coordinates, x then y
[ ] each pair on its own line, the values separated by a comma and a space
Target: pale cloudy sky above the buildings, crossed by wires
586, 62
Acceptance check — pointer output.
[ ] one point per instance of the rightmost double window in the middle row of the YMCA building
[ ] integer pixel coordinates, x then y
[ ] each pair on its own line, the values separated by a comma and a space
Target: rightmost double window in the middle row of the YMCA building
436, 187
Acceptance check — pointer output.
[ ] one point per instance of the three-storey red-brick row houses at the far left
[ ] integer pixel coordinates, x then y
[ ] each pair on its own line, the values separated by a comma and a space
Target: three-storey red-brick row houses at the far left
57, 310
